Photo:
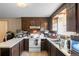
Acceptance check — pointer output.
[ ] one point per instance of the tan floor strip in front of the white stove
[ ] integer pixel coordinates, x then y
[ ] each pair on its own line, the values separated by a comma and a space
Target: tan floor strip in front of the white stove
42, 53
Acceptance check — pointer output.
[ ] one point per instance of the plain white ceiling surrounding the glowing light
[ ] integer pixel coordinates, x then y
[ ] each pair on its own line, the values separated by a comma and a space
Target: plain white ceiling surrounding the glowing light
8, 10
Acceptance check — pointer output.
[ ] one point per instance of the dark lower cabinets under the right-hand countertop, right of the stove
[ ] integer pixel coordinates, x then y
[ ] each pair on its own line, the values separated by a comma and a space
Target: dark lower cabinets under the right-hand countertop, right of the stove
52, 50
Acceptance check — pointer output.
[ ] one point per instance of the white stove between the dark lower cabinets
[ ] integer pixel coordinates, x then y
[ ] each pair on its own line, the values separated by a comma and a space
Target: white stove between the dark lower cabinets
34, 43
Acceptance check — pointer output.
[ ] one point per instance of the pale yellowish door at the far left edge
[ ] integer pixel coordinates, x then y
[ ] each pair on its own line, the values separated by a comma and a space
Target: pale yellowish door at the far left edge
3, 29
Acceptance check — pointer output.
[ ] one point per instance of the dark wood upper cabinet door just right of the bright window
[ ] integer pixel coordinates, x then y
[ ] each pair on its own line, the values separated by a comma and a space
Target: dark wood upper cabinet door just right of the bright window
71, 19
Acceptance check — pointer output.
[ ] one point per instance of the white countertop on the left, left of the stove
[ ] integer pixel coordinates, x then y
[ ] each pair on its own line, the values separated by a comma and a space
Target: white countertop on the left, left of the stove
11, 43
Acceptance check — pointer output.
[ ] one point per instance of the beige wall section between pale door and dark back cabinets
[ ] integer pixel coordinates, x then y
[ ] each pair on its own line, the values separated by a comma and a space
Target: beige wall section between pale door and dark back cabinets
14, 24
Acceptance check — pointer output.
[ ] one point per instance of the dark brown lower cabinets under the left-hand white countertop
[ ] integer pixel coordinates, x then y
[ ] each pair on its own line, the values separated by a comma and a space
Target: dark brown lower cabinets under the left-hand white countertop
16, 50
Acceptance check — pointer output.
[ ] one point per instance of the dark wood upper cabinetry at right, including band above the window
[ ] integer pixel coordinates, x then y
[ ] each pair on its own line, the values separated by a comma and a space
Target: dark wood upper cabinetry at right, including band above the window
70, 15
